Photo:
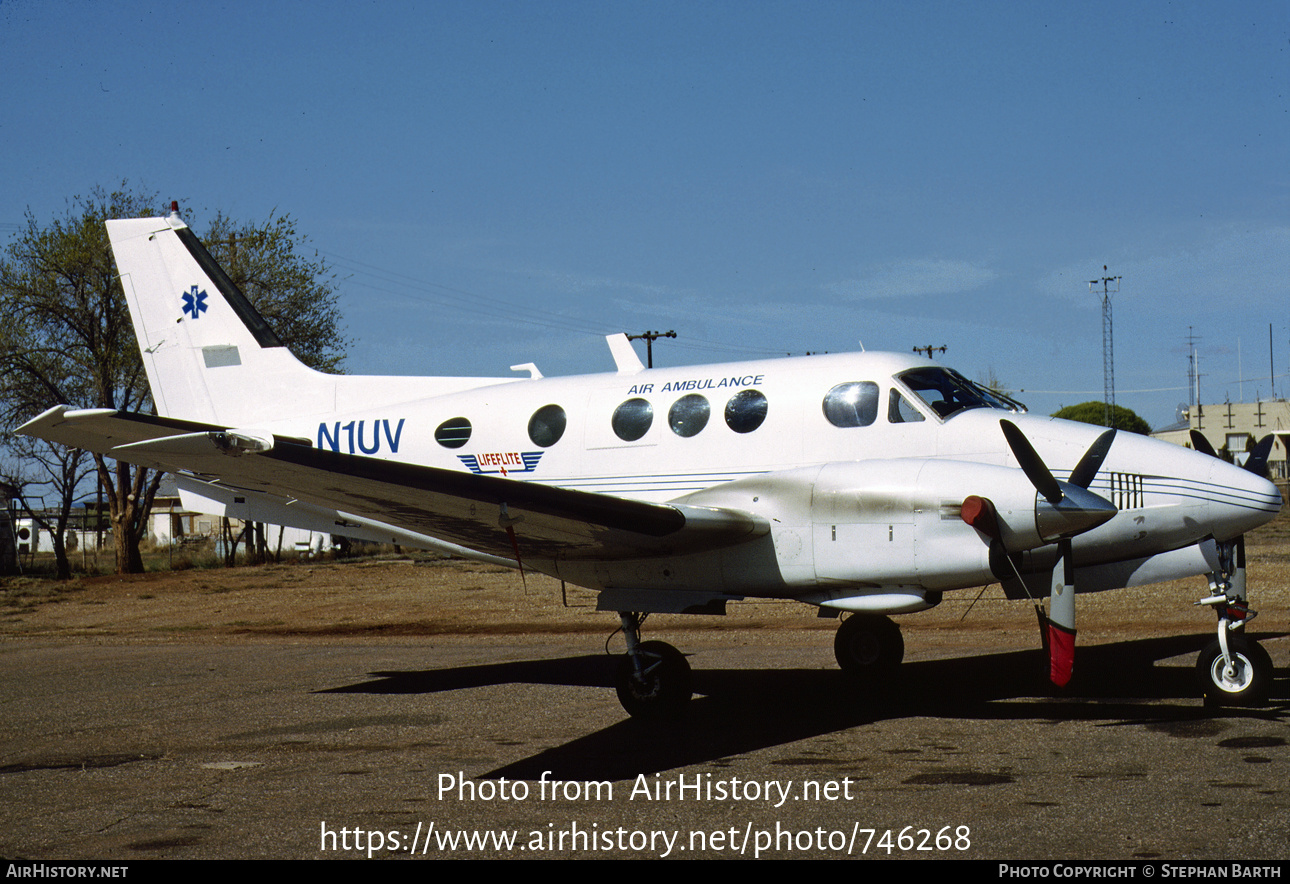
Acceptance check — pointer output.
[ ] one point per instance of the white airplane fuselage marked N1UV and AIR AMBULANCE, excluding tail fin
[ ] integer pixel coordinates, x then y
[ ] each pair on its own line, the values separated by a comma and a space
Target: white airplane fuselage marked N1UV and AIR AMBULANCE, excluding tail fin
877, 505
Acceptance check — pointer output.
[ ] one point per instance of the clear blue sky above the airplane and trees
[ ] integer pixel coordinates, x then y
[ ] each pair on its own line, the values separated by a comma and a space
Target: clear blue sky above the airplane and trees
505, 183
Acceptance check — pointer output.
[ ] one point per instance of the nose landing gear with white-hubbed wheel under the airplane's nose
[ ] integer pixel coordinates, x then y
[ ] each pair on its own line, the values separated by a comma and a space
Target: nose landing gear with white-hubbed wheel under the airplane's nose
1233, 670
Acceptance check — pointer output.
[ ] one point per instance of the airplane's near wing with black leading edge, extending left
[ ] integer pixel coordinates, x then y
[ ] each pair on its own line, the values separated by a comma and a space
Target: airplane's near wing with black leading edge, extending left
461, 508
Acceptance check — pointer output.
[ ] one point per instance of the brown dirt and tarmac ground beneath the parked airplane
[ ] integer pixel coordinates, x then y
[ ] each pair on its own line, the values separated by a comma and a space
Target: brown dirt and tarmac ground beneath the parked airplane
226, 713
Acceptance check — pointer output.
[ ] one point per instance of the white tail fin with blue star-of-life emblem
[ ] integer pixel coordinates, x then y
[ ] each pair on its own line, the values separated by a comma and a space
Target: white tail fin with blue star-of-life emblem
206, 348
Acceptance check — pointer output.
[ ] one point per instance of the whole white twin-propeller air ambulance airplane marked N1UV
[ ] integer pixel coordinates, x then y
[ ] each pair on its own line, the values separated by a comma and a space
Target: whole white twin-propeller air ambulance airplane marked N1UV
866, 485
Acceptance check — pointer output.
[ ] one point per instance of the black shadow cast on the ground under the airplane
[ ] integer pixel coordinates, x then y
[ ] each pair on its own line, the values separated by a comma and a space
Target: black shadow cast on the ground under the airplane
737, 712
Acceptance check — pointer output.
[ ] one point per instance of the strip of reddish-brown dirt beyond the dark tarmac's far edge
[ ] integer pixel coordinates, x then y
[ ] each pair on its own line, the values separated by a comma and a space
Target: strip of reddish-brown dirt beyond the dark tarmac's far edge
421, 596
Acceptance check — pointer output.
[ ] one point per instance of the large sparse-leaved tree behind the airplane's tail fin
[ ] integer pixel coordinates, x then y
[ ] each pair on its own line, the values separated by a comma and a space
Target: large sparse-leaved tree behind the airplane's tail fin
66, 335
